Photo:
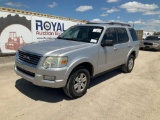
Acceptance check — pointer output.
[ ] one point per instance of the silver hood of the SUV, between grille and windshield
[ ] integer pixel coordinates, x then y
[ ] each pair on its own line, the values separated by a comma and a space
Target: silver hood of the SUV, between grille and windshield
56, 46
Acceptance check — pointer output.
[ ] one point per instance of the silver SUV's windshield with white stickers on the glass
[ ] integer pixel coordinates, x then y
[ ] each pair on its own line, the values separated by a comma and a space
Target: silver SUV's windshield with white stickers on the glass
90, 34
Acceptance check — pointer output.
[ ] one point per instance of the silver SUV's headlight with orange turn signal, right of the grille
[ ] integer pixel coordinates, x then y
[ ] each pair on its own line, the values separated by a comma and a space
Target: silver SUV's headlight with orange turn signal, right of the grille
55, 62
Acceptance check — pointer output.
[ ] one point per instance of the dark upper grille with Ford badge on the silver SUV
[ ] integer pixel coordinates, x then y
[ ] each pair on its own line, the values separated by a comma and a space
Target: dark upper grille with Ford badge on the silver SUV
29, 57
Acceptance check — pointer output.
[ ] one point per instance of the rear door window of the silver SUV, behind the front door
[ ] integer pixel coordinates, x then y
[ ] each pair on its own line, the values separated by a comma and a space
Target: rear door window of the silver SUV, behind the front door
122, 35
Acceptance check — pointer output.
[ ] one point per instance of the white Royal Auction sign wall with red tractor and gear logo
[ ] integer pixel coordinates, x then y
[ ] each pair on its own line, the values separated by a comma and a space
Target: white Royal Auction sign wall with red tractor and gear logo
18, 27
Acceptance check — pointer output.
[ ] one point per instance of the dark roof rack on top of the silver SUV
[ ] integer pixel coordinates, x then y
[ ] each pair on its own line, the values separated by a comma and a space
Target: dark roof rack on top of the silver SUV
110, 23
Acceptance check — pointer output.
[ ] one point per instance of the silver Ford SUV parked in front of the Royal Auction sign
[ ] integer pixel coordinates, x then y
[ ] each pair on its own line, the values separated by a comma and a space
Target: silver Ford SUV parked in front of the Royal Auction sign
81, 52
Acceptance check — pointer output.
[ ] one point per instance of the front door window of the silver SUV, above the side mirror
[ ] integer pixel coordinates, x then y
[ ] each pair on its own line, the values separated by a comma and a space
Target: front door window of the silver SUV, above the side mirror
110, 34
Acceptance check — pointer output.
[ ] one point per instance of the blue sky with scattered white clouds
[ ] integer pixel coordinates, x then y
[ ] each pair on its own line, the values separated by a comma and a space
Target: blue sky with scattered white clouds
141, 14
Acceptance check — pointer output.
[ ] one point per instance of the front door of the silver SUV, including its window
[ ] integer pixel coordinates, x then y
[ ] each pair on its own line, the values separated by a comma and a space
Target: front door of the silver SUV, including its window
109, 55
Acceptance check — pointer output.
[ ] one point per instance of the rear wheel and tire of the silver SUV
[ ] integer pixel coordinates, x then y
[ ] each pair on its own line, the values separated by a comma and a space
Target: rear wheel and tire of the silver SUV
127, 68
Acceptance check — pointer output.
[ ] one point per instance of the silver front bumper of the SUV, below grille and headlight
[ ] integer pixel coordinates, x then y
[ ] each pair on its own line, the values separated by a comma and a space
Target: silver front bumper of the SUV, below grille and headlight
36, 76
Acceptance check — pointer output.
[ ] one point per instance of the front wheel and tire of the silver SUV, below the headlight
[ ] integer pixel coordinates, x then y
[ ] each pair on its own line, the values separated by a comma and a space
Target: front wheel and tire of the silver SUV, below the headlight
78, 83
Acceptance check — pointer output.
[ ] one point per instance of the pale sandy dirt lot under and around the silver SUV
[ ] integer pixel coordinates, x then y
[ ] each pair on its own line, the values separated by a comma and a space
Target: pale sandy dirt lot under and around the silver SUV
112, 96
